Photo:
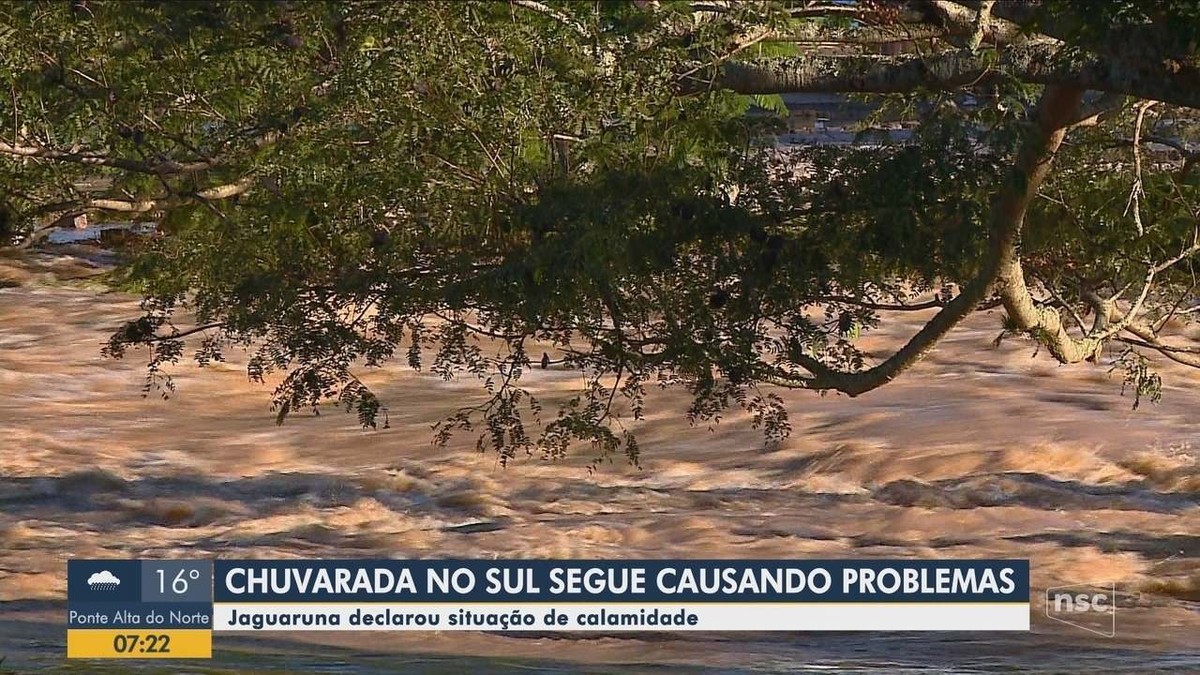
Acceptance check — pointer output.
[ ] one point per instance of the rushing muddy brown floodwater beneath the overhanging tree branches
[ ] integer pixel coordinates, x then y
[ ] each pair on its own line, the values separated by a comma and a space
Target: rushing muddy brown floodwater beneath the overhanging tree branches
979, 452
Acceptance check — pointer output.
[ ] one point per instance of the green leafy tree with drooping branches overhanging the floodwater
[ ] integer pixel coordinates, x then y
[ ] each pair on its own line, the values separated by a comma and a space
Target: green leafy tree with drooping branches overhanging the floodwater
339, 184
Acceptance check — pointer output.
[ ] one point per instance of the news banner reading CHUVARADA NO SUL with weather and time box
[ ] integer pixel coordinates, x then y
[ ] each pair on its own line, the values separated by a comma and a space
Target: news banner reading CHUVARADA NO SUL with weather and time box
171, 608
